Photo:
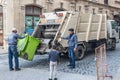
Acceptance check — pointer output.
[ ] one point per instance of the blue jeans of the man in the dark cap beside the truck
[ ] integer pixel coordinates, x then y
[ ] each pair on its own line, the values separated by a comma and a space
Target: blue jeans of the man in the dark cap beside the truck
71, 56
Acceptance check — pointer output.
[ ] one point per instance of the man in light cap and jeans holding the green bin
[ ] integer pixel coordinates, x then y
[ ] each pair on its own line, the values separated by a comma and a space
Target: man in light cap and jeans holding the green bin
12, 50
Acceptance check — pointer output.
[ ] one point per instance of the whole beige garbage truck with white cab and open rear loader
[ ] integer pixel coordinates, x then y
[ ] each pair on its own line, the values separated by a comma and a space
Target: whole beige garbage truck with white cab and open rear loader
91, 30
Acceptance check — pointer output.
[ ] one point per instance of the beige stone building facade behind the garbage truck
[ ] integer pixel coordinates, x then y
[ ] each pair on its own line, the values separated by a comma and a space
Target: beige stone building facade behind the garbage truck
24, 14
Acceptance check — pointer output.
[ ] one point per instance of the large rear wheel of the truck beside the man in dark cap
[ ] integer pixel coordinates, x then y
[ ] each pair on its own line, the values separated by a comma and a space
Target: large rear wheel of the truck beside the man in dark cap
80, 52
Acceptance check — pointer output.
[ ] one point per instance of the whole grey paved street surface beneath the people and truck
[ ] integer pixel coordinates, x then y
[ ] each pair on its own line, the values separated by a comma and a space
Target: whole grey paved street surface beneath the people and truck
39, 67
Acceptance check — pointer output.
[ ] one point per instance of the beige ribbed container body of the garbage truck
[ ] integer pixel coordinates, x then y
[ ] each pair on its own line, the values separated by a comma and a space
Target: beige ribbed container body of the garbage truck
87, 27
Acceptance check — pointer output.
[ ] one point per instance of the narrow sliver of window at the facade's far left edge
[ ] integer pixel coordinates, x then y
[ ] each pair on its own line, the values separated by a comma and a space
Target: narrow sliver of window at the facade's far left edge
1, 26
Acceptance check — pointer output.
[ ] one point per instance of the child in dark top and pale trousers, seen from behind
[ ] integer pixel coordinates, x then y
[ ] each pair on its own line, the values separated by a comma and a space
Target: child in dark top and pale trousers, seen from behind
53, 62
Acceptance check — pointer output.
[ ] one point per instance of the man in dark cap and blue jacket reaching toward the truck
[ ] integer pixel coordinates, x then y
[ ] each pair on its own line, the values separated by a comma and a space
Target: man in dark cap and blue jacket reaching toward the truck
72, 47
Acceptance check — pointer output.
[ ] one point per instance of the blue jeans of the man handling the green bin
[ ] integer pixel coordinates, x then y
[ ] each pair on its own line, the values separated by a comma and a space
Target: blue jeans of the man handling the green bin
12, 51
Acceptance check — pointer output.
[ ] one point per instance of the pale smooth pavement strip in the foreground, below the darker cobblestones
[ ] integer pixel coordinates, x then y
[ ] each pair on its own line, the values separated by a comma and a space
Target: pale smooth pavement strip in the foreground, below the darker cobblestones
39, 74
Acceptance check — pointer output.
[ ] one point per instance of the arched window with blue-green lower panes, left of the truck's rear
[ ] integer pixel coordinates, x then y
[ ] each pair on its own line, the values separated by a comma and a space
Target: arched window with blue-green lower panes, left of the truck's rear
32, 17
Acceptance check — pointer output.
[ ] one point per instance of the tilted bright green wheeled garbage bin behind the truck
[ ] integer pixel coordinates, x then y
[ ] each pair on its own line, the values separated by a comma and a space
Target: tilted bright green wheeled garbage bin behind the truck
27, 47
